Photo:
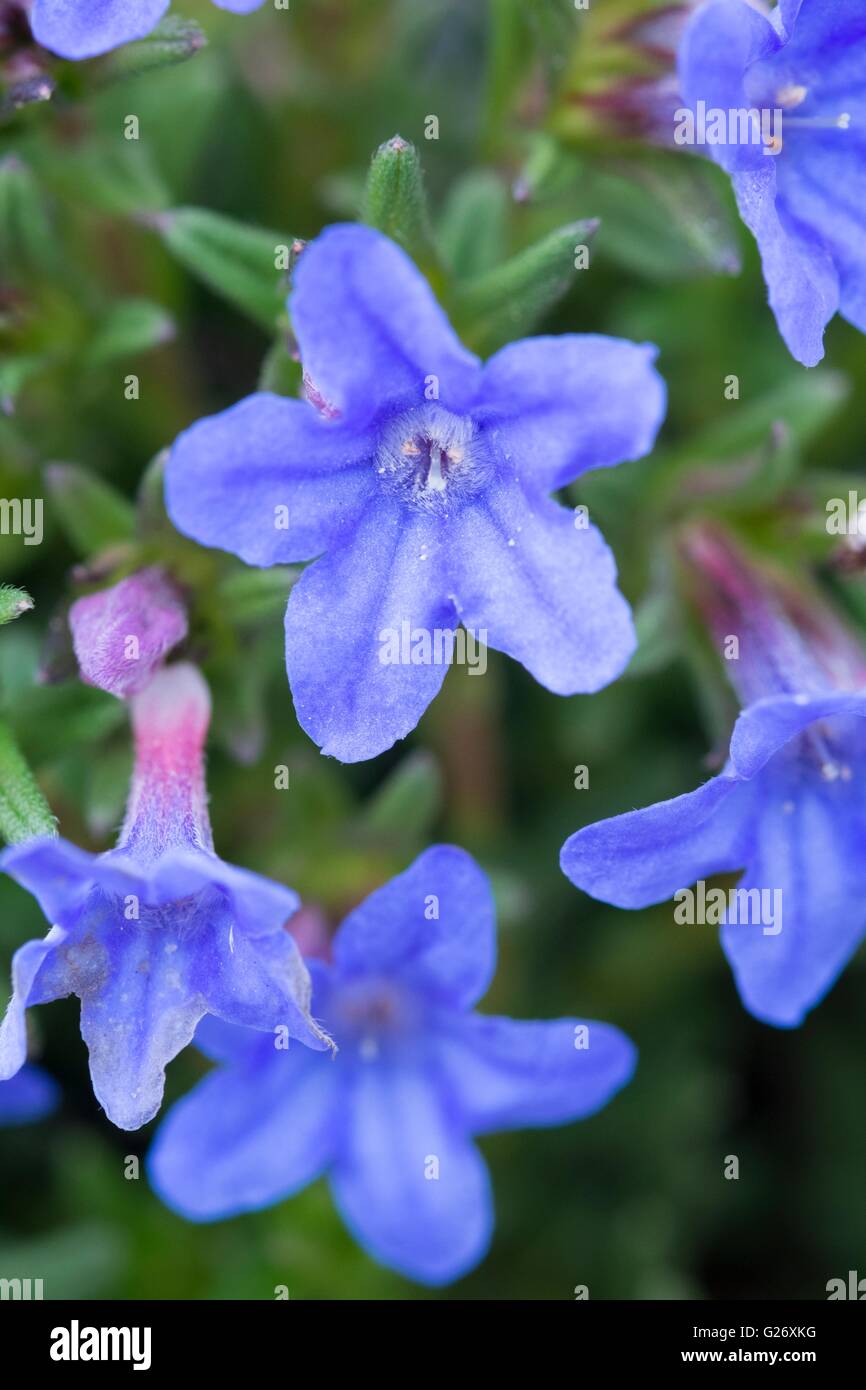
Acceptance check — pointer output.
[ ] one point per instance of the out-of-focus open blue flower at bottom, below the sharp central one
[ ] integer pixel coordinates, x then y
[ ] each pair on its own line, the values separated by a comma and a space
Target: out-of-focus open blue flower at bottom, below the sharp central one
418, 1075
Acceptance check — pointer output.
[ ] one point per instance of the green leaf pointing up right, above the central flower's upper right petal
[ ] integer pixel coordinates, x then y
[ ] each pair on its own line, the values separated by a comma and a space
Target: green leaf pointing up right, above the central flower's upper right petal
508, 302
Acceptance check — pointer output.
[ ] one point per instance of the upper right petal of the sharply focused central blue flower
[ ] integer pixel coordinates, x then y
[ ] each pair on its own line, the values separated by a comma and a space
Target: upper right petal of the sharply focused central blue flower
559, 407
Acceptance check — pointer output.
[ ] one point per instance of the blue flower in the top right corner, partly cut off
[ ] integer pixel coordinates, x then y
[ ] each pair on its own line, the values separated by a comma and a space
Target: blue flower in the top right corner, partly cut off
800, 190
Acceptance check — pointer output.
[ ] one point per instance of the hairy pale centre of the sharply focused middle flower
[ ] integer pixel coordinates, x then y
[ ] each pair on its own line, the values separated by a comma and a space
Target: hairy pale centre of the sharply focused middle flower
429, 458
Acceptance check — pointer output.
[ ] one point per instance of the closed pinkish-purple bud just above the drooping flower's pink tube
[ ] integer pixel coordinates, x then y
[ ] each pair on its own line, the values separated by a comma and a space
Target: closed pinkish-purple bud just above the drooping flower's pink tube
123, 635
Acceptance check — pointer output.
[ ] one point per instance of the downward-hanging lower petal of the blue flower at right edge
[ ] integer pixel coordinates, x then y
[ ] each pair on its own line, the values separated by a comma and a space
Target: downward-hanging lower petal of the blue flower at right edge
808, 849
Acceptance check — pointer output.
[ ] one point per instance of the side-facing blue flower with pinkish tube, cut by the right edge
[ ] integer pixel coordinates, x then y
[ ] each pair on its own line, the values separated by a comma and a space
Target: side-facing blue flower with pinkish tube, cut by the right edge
787, 808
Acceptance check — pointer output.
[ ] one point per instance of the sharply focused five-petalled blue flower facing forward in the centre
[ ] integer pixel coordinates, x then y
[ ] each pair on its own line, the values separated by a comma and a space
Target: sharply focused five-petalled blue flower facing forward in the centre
425, 479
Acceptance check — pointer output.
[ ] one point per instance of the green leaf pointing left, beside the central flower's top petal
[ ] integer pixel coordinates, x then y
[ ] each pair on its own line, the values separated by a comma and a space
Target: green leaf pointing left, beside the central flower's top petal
241, 263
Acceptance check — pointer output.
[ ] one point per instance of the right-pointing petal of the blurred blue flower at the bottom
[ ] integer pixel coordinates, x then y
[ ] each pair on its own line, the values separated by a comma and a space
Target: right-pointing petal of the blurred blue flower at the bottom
511, 1074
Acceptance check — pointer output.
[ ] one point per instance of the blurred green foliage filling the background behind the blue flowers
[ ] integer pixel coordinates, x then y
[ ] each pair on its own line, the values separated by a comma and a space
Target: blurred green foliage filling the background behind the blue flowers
155, 258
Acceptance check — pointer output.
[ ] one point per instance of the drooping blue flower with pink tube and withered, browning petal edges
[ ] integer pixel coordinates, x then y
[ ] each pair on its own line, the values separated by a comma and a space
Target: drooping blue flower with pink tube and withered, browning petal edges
158, 932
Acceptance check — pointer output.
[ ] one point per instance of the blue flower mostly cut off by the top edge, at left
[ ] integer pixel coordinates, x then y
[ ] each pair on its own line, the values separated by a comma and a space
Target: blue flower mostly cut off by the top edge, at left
85, 28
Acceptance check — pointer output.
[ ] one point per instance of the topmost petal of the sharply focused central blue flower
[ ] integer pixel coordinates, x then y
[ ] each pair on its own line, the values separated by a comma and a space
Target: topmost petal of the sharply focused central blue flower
370, 332
